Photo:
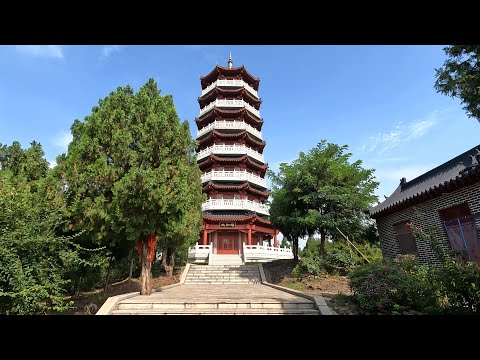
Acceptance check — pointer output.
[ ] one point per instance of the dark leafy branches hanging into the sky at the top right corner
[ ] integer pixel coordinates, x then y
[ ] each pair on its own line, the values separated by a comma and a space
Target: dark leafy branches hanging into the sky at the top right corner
460, 77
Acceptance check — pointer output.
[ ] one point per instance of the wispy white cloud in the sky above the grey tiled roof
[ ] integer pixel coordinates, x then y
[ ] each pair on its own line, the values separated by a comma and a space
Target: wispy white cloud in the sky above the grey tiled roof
402, 133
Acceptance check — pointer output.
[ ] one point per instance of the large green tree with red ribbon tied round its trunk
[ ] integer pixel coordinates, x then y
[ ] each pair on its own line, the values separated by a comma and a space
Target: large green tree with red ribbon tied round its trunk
130, 173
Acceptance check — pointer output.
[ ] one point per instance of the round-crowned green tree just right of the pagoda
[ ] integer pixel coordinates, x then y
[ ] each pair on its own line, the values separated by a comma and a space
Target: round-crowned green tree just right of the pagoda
322, 190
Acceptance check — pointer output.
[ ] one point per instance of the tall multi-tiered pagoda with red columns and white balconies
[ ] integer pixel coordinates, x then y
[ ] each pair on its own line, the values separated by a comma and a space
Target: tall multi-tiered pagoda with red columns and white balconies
230, 155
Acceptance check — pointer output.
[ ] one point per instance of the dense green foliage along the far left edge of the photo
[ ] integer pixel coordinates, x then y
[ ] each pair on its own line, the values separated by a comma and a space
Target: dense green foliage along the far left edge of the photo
34, 260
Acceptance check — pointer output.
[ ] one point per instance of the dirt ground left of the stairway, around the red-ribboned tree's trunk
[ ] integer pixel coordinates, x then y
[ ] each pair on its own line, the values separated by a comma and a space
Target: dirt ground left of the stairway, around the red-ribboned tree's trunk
88, 303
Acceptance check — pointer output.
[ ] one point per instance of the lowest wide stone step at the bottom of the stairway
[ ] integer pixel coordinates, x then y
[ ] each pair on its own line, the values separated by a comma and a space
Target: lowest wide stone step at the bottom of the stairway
218, 312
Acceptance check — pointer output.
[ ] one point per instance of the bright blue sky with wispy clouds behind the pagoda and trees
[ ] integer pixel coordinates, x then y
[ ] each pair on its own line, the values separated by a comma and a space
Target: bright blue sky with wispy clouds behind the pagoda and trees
379, 100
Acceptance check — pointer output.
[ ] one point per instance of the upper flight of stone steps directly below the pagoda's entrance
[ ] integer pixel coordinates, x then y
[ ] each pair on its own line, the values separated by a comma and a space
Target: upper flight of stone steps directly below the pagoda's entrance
223, 274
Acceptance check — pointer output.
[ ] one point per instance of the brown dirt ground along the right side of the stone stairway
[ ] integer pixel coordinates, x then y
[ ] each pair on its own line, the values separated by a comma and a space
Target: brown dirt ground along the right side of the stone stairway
333, 288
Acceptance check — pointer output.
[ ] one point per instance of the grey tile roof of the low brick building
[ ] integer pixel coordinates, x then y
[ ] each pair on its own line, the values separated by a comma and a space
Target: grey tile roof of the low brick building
461, 166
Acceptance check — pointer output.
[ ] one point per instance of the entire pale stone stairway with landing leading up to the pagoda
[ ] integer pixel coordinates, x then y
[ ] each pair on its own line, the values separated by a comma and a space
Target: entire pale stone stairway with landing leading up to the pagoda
218, 290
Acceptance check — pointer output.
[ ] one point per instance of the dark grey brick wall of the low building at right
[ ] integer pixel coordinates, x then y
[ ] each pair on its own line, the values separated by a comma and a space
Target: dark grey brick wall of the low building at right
426, 215
